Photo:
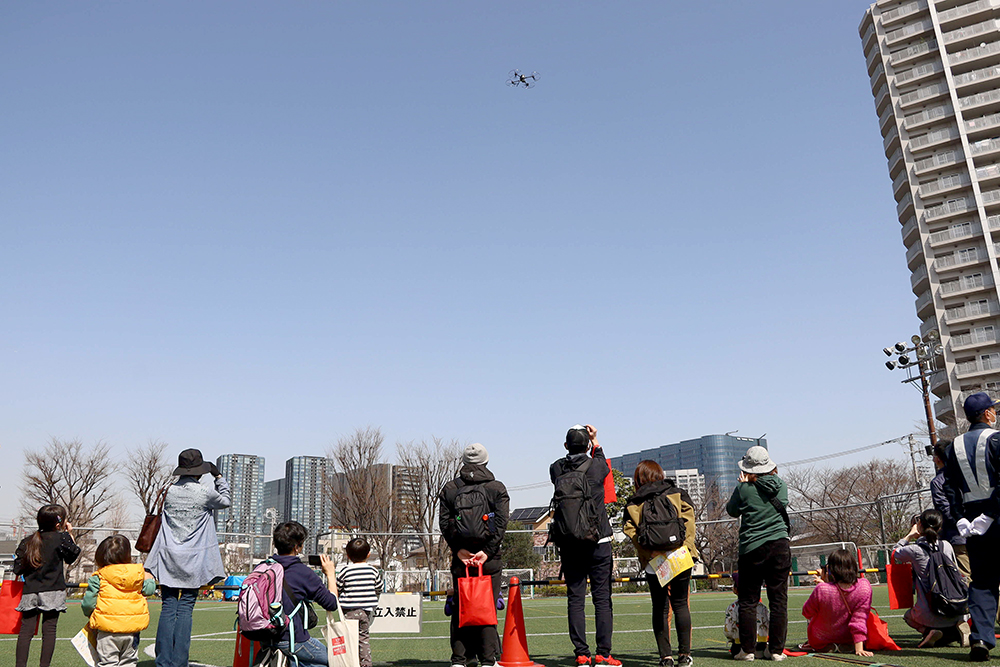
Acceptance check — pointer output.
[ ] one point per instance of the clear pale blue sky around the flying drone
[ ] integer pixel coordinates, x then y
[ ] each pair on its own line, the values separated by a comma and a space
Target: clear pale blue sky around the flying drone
254, 227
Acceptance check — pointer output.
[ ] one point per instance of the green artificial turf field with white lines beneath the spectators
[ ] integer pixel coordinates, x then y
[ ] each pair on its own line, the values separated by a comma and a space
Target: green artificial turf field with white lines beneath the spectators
548, 643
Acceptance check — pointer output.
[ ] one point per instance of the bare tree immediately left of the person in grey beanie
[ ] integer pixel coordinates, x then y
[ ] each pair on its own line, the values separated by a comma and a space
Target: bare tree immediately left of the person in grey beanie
427, 467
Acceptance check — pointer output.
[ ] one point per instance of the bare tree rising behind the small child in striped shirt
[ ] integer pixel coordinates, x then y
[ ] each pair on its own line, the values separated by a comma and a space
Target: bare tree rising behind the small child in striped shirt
359, 489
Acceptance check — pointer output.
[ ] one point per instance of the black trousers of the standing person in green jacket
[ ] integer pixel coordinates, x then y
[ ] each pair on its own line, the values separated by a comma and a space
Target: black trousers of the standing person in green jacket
770, 565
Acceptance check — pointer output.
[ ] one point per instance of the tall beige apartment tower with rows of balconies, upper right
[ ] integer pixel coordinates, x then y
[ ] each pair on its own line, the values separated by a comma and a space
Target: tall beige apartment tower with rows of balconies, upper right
934, 67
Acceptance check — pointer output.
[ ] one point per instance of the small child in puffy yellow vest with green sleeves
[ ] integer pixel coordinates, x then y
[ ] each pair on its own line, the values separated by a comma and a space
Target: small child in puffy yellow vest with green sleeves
115, 601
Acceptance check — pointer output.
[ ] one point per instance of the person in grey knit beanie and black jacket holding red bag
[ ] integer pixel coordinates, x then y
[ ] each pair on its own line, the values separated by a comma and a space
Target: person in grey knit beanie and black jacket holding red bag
473, 518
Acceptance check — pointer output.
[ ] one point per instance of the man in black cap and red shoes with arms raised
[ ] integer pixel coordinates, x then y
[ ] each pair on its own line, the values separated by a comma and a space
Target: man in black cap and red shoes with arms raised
588, 559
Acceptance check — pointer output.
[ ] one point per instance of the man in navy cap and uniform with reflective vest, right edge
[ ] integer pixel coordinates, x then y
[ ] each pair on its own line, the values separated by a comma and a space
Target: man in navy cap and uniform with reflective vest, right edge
972, 473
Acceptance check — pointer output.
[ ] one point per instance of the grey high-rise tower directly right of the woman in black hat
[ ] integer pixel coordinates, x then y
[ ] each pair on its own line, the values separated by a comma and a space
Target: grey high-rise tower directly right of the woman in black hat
245, 474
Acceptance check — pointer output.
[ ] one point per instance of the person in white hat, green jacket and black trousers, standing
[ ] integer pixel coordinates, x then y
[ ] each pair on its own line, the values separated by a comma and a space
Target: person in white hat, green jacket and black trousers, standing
759, 500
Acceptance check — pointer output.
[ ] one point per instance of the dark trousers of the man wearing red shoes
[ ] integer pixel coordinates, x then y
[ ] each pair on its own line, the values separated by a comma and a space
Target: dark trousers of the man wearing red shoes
580, 563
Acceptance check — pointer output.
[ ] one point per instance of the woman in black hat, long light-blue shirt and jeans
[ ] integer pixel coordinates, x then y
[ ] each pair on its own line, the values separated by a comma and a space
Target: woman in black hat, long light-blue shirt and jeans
185, 555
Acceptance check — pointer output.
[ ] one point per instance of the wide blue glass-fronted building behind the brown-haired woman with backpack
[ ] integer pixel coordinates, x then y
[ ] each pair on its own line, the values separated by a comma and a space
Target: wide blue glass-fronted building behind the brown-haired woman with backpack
713, 456
